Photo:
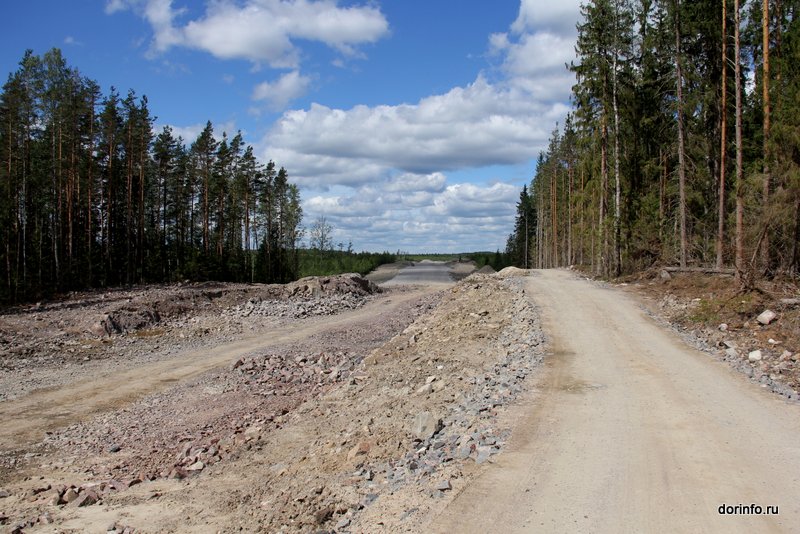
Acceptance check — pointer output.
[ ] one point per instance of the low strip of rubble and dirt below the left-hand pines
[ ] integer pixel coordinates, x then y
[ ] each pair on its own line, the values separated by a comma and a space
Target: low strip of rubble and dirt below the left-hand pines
80, 335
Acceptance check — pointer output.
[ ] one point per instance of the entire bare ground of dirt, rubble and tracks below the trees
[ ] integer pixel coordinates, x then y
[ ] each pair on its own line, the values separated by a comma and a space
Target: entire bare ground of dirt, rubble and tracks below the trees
505, 400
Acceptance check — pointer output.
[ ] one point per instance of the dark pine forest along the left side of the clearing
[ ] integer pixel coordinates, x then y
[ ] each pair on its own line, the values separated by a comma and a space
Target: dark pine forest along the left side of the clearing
91, 196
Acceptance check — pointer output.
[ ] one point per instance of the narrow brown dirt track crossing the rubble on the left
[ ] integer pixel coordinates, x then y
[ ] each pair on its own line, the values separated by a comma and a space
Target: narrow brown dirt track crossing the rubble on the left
26, 419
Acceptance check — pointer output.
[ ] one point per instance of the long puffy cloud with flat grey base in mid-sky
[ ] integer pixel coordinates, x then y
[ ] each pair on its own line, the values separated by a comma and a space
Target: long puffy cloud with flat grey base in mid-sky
474, 126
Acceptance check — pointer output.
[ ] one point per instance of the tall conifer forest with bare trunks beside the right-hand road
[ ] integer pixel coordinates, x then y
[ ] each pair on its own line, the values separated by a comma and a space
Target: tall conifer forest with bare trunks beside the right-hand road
682, 147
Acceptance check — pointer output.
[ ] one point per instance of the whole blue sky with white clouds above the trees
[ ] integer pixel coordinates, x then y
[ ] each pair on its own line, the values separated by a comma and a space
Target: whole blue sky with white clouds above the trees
409, 125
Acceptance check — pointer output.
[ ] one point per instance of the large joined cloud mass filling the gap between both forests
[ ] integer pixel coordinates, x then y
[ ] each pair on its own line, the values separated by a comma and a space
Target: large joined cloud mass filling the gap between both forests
378, 172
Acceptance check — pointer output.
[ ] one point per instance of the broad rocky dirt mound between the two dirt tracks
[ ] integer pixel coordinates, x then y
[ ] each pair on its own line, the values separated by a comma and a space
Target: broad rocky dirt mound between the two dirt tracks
343, 432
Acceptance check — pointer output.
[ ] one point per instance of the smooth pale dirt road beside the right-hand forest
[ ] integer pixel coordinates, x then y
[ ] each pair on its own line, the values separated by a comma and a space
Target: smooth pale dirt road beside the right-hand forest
632, 431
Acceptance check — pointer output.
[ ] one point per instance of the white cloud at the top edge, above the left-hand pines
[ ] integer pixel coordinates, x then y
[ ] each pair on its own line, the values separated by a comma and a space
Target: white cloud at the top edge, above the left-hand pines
260, 30
